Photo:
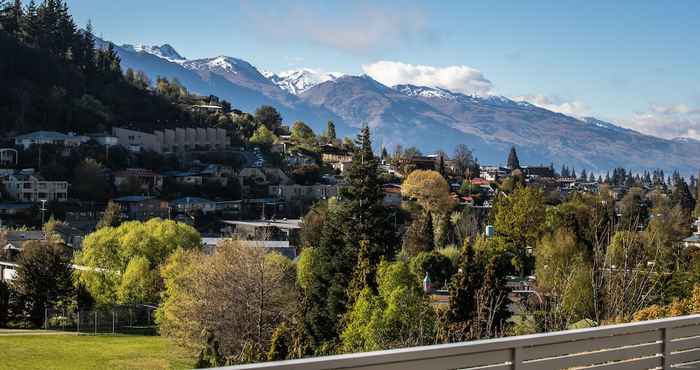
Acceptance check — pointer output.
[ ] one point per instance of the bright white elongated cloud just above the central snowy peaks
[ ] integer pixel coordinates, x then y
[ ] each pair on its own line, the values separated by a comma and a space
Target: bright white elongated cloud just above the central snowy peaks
462, 78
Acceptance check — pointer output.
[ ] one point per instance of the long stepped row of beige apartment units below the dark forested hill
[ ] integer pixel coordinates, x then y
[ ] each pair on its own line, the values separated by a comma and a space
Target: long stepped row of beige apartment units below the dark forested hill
174, 140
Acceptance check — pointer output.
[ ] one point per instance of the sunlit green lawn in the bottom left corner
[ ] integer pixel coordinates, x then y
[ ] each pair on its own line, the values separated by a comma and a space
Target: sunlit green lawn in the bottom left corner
90, 352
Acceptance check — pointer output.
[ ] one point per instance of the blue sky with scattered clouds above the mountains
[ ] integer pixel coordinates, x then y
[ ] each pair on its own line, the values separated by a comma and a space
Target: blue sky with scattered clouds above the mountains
635, 63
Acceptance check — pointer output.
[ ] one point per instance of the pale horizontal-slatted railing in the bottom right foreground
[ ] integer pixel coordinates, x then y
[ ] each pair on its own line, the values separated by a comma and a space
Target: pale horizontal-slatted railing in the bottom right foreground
665, 343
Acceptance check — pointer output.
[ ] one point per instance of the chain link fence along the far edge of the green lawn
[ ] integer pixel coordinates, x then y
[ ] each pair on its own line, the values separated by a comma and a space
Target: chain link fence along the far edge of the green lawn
132, 319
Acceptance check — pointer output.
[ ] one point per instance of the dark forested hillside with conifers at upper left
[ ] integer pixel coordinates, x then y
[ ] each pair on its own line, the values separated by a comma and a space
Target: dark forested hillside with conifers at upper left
53, 78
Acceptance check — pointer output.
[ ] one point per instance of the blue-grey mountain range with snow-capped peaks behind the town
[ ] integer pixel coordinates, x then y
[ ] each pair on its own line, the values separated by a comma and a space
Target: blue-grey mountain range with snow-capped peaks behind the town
426, 117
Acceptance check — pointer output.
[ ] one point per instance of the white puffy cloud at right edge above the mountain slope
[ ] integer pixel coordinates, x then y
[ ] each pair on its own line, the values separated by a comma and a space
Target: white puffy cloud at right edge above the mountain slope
667, 121
